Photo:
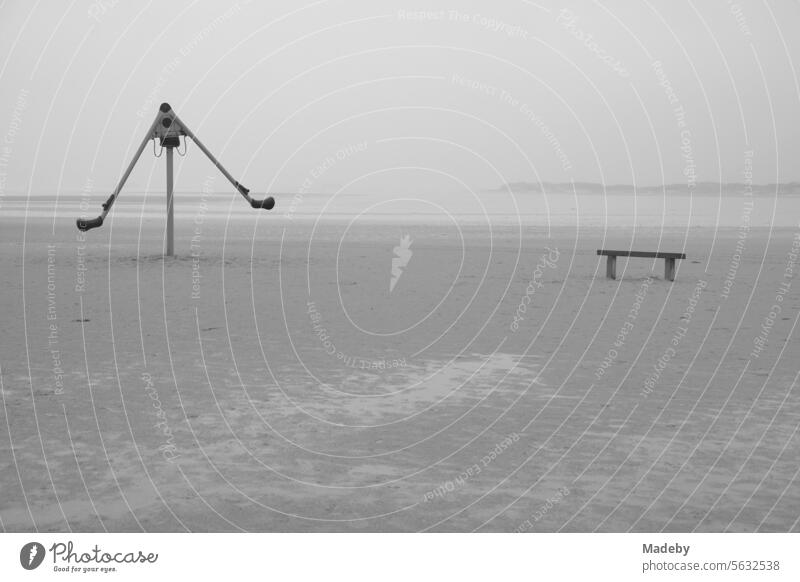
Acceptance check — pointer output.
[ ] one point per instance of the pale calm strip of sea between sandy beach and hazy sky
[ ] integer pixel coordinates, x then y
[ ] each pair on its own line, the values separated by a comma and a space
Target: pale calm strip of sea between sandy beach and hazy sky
472, 208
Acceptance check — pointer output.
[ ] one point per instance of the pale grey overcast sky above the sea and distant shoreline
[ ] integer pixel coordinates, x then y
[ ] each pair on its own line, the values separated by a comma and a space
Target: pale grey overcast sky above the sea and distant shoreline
401, 97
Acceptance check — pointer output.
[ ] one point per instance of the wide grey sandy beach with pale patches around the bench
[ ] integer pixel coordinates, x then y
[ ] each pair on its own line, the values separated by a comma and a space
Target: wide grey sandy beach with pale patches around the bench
276, 384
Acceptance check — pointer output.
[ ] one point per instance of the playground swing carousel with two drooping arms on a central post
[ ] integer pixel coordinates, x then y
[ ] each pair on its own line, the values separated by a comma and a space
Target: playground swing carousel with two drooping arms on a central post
168, 128
